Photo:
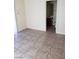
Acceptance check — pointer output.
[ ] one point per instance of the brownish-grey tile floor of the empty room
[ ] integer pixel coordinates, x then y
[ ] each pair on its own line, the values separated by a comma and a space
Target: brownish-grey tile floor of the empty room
34, 44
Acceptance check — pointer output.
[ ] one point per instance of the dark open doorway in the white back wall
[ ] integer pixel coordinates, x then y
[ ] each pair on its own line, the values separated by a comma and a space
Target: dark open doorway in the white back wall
51, 16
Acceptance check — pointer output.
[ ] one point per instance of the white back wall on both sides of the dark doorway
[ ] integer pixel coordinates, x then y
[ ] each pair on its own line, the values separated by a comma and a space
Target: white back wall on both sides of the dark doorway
36, 15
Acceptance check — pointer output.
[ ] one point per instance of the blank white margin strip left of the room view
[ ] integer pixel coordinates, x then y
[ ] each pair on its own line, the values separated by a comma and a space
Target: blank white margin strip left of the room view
6, 29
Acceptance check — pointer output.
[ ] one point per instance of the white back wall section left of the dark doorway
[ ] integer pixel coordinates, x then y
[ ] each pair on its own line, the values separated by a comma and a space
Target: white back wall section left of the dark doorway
36, 14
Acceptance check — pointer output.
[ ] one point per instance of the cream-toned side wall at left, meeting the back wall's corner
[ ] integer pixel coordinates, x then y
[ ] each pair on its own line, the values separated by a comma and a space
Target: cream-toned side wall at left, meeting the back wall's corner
20, 15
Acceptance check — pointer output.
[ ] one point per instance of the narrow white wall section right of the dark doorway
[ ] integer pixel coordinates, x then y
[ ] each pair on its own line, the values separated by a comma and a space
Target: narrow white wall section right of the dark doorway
60, 19
